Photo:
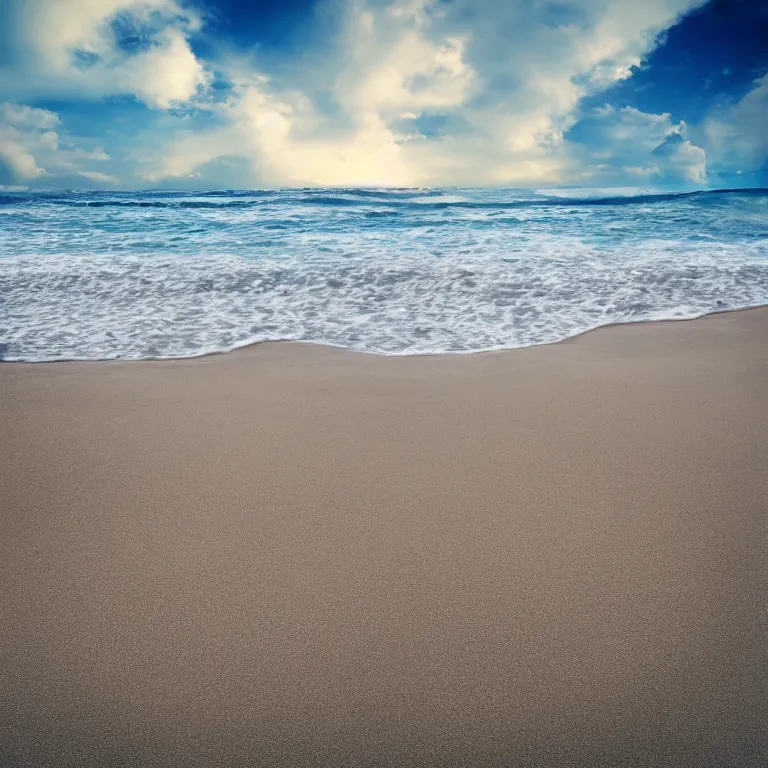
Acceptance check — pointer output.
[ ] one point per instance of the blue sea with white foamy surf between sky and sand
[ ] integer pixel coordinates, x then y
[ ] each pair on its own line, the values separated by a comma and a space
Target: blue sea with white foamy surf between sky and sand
101, 275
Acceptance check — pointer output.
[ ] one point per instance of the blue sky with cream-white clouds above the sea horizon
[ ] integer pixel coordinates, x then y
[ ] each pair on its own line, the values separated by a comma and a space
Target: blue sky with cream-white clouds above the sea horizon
201, 94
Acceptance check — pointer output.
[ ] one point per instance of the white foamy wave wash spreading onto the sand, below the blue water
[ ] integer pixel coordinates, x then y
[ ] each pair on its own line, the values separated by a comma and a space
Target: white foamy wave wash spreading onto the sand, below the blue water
138, 307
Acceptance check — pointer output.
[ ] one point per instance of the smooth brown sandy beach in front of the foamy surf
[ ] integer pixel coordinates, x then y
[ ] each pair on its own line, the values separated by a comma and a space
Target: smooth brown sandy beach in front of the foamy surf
298, 556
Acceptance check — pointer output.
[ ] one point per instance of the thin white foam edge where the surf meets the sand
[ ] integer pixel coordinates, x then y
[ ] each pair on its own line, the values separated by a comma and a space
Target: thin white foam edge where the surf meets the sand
457, 353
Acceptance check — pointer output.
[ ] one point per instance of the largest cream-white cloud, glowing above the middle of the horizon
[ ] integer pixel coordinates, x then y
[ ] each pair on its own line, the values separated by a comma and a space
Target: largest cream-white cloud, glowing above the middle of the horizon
509, 75
